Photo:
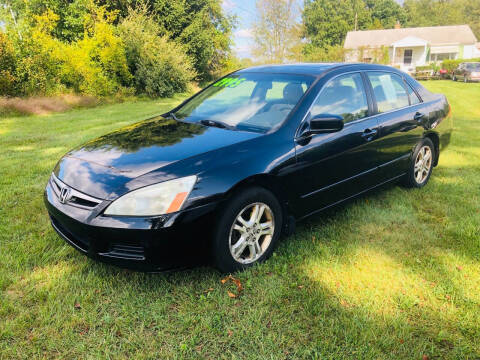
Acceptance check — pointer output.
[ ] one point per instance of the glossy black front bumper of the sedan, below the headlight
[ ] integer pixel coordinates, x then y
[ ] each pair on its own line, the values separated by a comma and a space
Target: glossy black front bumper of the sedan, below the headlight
140, 243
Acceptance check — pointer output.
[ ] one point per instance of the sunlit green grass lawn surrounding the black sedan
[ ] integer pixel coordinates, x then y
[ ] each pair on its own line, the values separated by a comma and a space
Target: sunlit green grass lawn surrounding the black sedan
392, 275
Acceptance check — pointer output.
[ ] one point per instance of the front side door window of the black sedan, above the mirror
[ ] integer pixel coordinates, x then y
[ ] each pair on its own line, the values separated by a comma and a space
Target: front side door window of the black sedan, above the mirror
345, 96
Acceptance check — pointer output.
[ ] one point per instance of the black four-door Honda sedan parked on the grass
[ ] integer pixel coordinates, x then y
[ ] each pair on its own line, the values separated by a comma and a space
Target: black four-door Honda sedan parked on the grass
222, 175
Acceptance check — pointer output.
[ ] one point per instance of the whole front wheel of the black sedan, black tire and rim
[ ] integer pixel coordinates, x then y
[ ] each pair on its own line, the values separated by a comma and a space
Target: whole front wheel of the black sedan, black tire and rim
257, 247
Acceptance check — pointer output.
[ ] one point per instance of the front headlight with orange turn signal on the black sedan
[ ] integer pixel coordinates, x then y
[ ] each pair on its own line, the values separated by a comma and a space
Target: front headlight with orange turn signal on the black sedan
157, 199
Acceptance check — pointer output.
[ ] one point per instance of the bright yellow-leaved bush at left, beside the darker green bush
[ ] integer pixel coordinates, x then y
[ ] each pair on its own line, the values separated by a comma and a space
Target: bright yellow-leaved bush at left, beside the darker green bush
95, 65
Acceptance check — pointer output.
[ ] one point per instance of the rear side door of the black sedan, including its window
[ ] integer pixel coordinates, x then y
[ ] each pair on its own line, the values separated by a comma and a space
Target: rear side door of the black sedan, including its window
400, 121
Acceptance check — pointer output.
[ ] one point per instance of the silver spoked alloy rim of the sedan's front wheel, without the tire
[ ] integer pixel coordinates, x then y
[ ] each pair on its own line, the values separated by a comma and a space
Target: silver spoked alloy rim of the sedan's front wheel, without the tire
251, 233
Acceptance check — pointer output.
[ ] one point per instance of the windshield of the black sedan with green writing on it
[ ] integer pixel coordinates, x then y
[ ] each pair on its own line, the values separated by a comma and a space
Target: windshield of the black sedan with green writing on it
246, 101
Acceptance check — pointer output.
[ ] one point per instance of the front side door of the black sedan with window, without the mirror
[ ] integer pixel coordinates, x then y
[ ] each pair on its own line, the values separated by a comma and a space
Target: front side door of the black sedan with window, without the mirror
336, 166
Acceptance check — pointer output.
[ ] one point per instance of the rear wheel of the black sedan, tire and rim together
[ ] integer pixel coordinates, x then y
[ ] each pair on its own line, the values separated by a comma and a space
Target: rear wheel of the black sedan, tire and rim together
419, 170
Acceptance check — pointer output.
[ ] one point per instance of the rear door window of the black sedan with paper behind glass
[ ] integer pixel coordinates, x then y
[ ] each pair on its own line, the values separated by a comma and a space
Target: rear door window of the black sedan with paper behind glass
389, 91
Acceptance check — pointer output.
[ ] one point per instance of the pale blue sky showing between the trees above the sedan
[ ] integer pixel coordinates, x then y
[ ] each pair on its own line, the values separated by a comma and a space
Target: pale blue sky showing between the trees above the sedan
243, 36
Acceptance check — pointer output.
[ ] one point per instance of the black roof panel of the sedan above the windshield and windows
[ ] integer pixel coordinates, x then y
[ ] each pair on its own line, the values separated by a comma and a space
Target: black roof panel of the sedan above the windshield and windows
313, 68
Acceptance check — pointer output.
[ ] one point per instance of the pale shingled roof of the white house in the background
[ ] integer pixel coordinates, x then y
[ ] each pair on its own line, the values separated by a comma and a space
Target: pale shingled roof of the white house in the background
433, 35
